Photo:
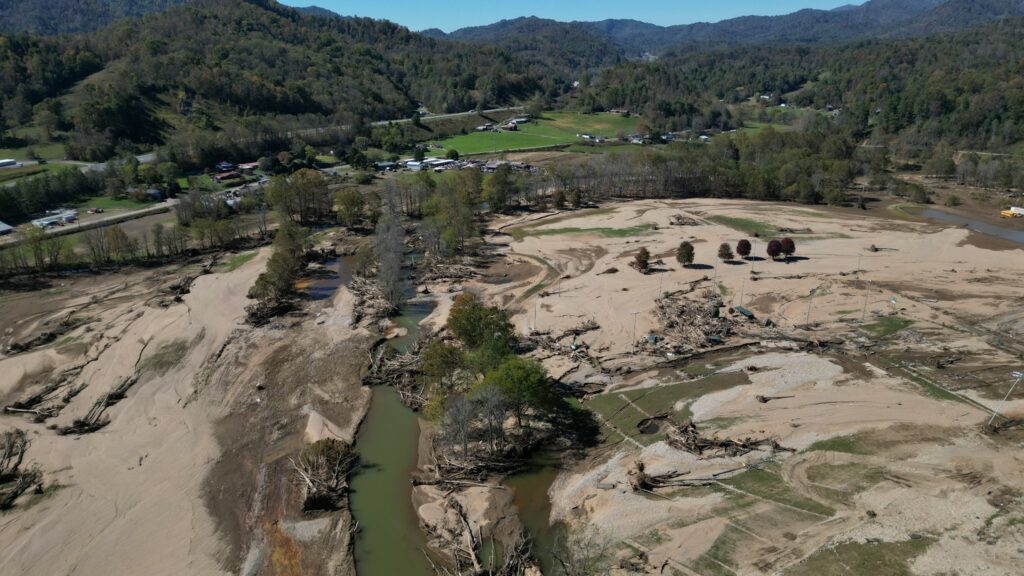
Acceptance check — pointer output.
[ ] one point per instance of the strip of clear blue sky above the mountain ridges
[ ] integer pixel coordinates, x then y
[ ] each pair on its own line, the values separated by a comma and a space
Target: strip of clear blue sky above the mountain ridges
452, 15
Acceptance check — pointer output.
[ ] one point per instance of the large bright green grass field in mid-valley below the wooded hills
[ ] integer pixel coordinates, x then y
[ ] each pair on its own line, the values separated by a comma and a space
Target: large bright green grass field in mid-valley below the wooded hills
556, 129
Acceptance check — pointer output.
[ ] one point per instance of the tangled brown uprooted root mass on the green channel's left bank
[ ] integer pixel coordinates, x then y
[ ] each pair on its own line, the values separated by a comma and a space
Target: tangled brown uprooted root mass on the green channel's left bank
323, 469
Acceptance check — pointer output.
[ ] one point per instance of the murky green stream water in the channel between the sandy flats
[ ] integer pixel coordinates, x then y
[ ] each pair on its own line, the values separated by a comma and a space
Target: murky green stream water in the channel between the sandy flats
390, 541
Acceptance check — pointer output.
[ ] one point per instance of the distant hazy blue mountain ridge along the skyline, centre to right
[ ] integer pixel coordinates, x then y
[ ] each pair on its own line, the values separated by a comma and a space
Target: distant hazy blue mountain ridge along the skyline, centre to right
876, 19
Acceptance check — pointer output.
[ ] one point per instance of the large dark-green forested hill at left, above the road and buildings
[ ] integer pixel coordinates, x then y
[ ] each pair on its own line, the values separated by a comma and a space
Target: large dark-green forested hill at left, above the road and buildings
247, 68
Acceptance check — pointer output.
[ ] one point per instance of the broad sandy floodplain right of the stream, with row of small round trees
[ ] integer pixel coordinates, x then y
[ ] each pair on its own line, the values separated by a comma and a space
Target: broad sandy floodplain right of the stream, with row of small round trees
890, 343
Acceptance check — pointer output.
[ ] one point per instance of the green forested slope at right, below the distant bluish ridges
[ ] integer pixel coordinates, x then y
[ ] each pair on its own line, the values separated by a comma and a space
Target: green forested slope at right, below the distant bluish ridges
965, 88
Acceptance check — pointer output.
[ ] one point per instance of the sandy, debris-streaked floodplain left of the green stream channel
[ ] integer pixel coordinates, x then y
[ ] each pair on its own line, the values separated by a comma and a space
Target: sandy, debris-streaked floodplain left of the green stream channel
191, 475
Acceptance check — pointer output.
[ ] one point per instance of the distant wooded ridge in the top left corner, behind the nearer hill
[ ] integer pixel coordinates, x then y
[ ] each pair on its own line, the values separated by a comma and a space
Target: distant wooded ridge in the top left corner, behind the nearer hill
73, 17
